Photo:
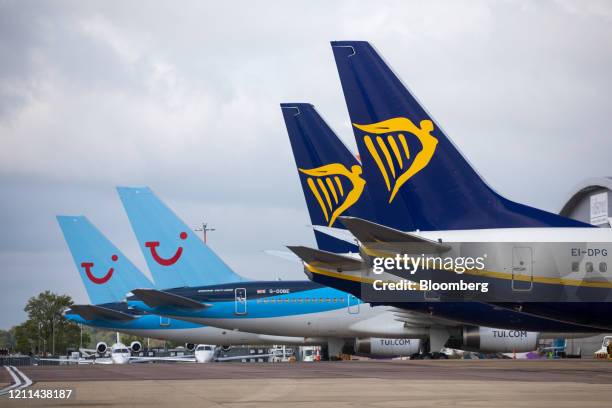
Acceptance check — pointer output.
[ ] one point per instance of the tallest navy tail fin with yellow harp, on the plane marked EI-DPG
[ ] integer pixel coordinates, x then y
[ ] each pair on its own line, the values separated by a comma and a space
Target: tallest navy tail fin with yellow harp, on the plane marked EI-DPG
417, 178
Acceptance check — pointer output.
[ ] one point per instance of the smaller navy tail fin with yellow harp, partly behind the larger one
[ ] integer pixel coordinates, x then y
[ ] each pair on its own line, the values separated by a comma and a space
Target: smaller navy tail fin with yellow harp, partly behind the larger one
329, 173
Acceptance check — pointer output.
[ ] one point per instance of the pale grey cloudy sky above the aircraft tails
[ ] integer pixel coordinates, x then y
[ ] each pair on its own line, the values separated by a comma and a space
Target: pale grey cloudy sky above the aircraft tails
183, 97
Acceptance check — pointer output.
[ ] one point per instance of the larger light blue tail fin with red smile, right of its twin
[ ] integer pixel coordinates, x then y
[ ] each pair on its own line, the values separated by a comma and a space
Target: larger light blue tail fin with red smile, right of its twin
174, 253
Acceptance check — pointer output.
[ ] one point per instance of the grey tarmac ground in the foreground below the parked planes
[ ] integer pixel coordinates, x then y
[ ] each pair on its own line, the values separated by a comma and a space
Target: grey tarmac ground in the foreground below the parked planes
473, 383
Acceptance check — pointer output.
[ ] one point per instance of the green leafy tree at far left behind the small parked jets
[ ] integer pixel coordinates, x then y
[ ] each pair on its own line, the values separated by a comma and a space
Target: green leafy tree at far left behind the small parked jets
47, 330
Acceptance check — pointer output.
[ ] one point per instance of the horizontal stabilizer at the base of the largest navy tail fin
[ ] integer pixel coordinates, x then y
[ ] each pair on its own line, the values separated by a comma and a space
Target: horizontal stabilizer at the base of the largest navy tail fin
371, 233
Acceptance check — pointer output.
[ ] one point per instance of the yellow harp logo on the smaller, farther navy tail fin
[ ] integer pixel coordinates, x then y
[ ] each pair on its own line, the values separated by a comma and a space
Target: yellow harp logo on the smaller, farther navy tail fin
328, 186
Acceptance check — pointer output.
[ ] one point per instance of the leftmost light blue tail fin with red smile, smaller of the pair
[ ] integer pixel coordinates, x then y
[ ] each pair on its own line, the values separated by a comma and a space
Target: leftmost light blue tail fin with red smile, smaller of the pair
106, 273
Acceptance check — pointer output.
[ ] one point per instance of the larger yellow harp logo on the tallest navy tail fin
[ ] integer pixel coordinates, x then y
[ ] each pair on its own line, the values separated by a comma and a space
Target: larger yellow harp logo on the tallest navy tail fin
390, 143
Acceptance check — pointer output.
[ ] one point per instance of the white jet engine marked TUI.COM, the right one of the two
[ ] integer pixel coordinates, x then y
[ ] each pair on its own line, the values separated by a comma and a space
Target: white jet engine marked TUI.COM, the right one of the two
489, 340
